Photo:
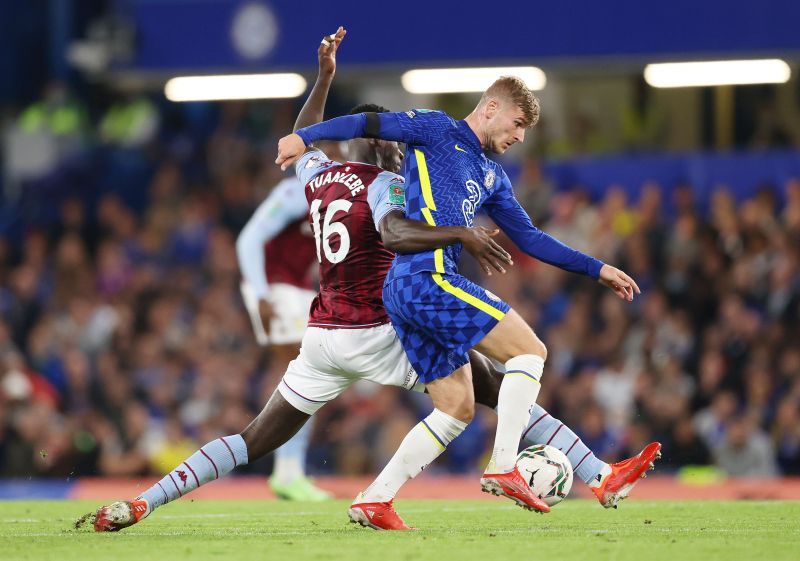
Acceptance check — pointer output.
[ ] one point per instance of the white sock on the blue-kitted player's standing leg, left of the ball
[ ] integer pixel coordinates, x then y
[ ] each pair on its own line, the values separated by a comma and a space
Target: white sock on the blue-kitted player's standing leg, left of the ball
420, 447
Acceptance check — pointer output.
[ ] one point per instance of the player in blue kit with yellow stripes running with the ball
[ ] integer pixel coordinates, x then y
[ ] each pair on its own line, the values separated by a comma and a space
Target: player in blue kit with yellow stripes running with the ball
438, 314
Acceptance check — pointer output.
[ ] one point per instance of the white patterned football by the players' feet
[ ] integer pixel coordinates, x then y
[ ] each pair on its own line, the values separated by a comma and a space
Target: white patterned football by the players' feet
548, 471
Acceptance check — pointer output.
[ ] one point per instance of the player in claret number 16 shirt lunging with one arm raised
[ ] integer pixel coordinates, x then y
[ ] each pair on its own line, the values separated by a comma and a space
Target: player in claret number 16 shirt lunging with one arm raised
351, 338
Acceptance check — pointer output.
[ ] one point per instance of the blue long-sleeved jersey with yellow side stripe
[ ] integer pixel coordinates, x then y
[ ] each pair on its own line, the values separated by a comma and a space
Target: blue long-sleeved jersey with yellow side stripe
448, 179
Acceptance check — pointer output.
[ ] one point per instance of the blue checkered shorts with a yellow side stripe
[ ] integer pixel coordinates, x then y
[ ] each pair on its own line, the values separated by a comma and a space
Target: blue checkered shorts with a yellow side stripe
439, 317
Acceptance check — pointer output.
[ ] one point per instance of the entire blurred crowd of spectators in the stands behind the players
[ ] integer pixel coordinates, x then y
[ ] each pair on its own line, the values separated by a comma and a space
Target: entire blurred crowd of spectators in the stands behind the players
124, 345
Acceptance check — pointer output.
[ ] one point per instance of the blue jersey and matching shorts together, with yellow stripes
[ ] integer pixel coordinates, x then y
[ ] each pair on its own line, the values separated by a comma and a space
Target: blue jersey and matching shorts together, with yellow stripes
438, 314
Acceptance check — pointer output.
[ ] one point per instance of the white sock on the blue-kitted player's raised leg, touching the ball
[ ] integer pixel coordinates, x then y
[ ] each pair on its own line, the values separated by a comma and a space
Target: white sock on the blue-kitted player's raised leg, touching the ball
518, 394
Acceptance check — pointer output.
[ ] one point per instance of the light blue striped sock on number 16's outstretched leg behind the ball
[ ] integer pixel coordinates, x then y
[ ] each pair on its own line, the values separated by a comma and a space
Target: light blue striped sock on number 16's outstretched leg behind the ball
543, 428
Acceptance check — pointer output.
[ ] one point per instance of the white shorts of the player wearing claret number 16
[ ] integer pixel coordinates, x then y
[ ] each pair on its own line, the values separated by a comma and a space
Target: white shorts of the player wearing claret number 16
331, 360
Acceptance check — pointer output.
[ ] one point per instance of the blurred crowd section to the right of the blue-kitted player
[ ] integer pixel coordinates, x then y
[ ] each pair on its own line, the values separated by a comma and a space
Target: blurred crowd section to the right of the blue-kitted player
706, 360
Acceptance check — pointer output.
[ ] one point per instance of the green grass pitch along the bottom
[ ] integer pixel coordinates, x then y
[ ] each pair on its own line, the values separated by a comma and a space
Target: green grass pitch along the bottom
449, 530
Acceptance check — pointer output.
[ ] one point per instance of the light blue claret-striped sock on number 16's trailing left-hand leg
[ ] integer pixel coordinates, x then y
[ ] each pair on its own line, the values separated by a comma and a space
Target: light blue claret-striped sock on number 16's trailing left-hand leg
212, 461
